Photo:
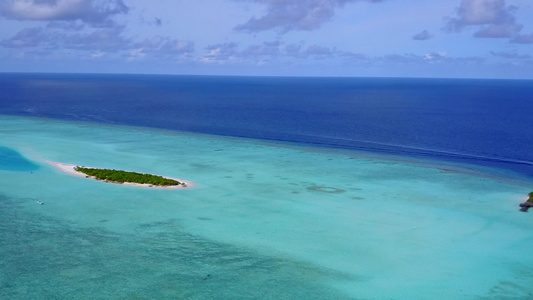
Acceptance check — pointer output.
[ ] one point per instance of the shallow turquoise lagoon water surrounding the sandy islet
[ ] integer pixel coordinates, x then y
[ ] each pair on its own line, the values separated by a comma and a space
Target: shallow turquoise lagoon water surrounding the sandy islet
265, 221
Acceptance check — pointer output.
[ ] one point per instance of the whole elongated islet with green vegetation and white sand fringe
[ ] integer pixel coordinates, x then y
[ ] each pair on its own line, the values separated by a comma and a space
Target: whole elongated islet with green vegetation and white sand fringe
122, 177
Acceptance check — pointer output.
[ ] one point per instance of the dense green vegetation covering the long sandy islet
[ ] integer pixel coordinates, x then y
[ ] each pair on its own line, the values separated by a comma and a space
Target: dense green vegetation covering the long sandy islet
120, 176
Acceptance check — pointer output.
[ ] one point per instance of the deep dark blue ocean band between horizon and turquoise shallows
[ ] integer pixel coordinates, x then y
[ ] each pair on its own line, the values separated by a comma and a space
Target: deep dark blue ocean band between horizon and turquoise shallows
481, 122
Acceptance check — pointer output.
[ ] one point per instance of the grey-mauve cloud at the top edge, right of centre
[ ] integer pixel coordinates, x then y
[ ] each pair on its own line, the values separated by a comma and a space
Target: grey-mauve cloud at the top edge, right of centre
290, 15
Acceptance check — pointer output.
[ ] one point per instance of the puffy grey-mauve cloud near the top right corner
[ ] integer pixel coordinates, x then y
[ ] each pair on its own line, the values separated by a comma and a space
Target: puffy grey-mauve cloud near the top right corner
493, 18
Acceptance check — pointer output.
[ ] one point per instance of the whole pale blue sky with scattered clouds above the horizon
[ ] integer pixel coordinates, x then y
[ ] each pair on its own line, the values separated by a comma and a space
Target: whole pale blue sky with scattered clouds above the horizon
356, 38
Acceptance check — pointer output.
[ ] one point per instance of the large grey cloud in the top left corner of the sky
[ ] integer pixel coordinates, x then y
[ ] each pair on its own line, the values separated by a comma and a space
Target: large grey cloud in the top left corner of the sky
95, 12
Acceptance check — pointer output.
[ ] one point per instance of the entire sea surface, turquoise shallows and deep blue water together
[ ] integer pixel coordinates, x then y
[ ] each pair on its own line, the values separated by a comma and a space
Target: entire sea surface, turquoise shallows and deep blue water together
305, 188
